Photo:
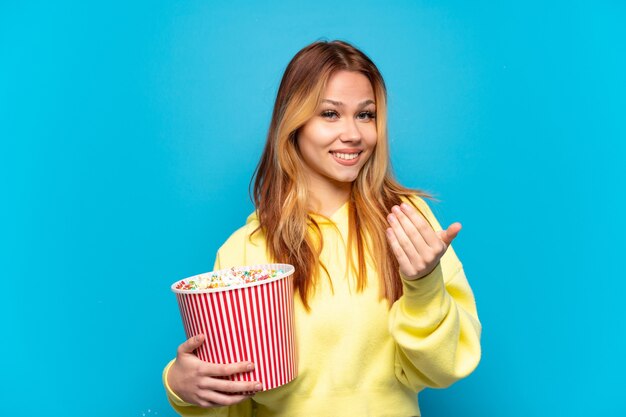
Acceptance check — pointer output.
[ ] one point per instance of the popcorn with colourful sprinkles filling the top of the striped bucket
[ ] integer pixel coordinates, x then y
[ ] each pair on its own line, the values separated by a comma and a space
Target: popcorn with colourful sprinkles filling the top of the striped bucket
227, 278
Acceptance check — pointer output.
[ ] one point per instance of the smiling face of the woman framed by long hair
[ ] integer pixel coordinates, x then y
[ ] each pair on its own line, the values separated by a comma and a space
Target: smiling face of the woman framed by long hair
337, 141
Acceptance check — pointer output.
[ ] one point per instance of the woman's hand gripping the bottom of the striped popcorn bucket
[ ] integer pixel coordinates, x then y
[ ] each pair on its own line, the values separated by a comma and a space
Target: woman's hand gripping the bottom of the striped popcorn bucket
198, 382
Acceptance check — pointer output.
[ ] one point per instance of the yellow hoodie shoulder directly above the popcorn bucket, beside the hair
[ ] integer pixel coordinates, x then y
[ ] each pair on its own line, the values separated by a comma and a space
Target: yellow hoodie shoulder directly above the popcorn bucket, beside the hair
246, 246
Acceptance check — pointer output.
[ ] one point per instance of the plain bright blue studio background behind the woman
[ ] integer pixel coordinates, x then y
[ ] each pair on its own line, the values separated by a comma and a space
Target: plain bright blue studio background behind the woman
130, 130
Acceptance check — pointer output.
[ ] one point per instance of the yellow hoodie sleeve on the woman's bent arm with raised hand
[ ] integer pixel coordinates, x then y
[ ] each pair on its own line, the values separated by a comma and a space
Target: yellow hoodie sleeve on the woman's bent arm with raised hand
435, 324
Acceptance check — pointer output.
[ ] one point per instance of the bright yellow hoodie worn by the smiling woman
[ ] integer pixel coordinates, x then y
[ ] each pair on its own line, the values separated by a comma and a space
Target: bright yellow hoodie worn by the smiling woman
356, 356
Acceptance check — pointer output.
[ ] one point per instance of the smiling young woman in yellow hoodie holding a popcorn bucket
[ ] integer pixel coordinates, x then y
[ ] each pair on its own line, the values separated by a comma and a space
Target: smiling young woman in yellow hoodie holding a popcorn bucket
383, 308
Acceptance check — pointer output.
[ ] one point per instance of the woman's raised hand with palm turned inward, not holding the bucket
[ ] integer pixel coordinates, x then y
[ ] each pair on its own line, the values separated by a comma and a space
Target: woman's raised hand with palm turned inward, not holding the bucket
415, 244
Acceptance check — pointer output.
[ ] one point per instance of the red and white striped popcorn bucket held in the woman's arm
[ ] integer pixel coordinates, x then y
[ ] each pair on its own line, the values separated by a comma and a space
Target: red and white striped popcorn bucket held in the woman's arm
250, 322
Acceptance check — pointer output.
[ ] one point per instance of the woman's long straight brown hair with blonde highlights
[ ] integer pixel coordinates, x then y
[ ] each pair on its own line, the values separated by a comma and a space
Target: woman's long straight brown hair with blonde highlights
280, 191
